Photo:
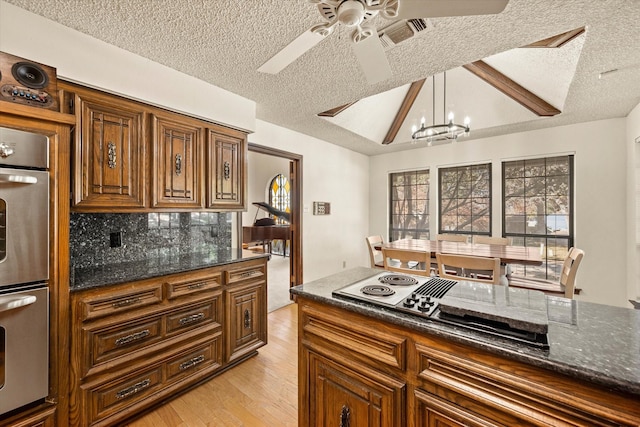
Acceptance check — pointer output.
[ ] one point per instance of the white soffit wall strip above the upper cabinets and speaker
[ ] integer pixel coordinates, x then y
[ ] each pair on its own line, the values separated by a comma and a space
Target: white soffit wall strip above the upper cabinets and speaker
84, 59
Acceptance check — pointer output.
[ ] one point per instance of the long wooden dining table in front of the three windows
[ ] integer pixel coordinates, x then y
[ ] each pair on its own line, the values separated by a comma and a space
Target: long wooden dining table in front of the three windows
508, 254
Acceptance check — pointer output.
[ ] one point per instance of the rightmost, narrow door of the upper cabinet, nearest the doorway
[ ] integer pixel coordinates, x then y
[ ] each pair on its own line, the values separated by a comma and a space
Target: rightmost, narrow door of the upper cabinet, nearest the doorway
226, 156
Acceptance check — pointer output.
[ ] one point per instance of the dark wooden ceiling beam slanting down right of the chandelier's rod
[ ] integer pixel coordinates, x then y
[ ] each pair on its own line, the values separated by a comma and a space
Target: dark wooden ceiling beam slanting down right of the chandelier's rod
512, 89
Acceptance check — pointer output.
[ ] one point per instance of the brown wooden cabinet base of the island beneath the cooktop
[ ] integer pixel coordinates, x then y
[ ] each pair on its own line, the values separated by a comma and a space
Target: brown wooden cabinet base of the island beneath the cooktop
390, 375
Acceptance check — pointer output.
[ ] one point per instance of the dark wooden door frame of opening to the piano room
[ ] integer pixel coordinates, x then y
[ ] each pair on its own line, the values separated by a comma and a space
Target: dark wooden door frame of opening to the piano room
295, 225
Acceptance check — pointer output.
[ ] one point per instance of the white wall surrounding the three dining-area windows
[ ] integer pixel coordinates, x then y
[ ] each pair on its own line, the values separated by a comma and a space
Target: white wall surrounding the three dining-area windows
600, 189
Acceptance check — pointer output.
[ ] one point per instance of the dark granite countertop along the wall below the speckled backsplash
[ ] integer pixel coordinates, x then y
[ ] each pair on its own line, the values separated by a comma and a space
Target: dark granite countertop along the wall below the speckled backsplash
111, 274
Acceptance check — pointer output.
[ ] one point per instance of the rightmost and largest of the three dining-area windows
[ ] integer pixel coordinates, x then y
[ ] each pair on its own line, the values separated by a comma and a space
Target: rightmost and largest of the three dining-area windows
538, 210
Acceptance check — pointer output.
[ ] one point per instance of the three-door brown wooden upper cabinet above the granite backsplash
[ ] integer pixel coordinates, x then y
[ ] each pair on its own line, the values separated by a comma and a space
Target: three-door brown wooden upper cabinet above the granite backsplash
133, 157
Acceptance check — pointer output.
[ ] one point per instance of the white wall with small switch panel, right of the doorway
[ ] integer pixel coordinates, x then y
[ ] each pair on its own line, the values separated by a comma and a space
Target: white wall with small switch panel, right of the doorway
329, 174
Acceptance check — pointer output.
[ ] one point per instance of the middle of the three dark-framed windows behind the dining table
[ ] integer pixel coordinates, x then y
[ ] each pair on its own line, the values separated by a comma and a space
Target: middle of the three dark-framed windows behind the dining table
465, 199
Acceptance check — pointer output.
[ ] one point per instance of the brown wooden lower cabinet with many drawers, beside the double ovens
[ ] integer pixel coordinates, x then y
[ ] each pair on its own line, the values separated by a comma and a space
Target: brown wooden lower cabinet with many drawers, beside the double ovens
138, 343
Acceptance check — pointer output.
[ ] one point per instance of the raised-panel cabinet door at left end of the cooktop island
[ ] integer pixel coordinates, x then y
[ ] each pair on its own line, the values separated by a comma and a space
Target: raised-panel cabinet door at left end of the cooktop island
342, 397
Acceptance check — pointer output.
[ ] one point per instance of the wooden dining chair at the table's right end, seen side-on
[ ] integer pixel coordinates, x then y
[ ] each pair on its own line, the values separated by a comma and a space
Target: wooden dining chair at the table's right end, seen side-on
566, 285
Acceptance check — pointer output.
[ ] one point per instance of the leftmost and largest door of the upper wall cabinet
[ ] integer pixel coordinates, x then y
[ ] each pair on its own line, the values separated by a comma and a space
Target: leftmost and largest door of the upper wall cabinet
109, 150
